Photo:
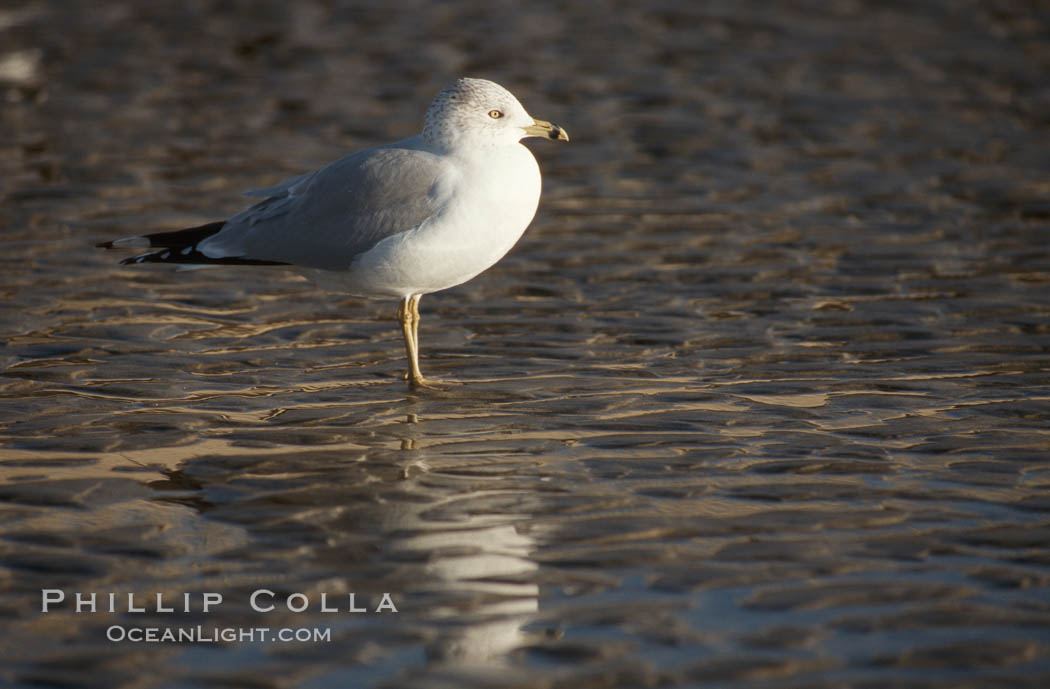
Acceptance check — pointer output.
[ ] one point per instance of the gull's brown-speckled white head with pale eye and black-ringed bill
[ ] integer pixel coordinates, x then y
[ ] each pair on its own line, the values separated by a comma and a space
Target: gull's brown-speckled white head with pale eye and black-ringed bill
480, 113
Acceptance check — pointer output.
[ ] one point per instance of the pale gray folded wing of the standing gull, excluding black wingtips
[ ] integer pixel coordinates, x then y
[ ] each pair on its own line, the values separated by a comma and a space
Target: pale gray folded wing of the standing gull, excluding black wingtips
327, 218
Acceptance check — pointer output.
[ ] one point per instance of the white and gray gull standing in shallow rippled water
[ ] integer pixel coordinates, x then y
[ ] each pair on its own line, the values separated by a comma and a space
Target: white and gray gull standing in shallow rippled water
404, 220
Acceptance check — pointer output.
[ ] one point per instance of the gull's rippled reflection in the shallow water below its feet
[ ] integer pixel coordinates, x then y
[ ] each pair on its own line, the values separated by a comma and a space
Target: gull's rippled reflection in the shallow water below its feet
397, 508
